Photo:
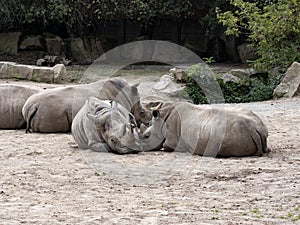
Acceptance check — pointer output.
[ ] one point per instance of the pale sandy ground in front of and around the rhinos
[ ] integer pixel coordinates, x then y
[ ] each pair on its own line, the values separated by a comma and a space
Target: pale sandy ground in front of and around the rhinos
46, 179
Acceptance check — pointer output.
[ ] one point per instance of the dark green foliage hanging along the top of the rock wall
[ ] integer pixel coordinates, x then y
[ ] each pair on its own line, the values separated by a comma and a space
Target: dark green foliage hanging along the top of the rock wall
78, 15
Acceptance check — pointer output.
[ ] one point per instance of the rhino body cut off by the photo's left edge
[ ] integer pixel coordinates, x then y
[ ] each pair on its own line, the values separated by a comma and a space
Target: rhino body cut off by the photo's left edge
12, 99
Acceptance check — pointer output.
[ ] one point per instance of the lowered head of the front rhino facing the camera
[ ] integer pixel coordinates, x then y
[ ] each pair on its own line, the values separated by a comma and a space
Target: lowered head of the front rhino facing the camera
117, 129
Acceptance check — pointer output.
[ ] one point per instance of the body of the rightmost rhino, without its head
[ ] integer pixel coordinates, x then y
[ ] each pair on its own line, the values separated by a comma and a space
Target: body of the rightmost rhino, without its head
218, 131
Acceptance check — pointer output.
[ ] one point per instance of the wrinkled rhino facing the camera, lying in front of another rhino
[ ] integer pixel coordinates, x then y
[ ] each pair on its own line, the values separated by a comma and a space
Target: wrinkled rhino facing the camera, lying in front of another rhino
102, 125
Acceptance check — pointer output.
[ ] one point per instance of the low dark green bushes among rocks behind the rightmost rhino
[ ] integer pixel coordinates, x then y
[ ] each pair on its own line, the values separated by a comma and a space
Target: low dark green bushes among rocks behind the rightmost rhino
249, 89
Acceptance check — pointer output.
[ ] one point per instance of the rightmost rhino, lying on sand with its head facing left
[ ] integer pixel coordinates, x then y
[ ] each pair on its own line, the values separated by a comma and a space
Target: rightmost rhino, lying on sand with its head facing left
202, 130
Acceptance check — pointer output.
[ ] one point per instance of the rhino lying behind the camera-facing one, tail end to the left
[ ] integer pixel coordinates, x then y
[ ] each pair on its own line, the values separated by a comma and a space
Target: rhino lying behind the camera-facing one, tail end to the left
53, 110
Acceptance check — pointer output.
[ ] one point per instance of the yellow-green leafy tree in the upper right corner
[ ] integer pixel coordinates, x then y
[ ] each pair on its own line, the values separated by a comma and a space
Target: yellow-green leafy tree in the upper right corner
273, 28
